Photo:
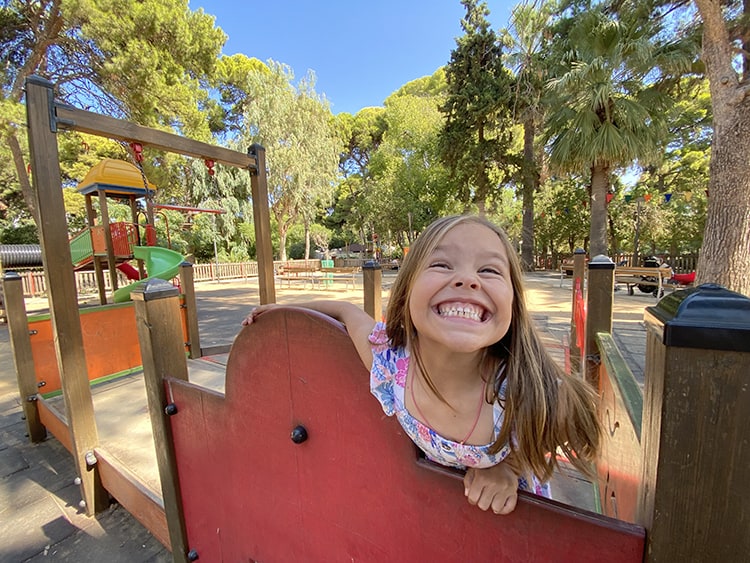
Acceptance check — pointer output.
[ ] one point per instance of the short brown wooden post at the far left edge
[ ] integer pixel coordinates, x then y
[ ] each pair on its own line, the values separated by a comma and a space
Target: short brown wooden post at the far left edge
18, 326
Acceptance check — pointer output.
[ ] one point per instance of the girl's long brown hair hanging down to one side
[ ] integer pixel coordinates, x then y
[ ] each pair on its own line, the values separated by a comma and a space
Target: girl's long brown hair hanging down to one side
545, 409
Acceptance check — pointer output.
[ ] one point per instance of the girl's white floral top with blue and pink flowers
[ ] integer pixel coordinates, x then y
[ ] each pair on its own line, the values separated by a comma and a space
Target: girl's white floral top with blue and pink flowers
388, 383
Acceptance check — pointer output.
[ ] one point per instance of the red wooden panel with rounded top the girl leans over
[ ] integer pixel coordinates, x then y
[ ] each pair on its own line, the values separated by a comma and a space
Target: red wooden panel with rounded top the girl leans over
353, 490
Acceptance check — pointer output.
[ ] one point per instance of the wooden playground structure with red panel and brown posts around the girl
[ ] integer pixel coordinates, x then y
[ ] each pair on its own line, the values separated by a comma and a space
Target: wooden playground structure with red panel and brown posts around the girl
289, 458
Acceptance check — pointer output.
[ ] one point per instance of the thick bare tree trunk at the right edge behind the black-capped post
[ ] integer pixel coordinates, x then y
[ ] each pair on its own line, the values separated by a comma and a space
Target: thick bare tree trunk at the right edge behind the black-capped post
725, 254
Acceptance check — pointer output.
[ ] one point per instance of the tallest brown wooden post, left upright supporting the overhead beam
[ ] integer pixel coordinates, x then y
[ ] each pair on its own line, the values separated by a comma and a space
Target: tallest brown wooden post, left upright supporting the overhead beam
61, 288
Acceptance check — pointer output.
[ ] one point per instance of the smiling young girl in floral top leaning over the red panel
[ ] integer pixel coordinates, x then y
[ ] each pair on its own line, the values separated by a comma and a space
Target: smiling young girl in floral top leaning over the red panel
461, 366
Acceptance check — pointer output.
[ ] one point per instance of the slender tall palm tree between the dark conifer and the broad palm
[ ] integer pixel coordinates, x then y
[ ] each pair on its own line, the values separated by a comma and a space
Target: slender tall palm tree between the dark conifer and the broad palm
526, 38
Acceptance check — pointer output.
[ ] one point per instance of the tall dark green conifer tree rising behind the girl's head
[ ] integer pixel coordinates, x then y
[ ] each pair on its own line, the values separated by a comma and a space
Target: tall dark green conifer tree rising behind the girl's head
475, 140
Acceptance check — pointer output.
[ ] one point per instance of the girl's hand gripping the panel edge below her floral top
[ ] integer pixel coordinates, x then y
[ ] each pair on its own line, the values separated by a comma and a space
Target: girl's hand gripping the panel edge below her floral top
495, 487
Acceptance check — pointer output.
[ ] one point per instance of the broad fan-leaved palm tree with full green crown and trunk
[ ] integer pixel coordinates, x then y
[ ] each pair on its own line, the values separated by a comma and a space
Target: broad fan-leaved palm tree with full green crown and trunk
608, 110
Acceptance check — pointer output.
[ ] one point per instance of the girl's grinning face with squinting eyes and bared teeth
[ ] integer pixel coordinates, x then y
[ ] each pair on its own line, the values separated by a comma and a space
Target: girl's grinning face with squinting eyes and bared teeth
462, 298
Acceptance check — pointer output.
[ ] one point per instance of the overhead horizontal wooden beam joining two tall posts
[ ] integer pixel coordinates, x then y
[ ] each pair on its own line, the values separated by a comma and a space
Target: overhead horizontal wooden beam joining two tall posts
74, 119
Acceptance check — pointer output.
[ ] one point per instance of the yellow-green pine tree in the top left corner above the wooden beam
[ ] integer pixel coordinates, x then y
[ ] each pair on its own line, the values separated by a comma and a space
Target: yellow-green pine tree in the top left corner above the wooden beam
146, 61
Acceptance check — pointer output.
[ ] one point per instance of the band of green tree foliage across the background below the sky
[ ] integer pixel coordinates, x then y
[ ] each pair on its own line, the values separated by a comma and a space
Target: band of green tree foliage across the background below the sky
625, 97
